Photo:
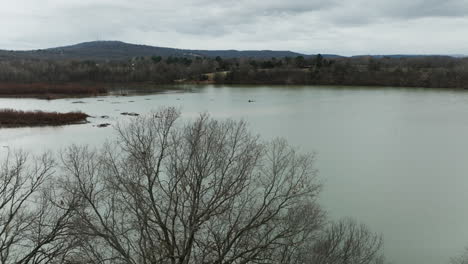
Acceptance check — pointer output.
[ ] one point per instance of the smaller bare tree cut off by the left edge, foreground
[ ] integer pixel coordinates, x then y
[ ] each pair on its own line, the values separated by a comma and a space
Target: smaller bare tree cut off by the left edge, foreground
33, 229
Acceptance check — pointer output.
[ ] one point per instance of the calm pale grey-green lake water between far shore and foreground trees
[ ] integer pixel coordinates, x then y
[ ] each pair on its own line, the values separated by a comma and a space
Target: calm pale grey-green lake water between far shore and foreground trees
395, 159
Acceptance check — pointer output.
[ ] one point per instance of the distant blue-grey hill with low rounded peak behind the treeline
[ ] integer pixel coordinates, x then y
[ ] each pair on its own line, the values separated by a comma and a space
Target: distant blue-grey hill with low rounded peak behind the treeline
117, 50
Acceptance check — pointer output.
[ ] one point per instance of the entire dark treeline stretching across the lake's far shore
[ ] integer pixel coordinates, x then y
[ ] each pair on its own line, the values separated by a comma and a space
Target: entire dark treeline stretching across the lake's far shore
422, 71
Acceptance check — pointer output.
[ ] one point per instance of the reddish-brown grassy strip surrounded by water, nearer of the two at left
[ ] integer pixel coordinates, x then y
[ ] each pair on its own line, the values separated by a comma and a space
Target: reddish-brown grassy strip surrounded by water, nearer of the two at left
14, 118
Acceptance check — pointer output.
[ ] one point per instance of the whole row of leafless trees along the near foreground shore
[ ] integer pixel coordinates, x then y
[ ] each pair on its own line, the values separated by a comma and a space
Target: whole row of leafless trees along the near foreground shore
204, 191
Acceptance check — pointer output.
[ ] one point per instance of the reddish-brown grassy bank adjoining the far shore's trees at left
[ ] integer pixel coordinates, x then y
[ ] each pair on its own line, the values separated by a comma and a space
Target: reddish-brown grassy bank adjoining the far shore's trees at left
50, 91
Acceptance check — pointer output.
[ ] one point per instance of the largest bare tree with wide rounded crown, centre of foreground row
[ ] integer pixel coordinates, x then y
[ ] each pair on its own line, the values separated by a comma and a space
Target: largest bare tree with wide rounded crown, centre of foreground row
203, 192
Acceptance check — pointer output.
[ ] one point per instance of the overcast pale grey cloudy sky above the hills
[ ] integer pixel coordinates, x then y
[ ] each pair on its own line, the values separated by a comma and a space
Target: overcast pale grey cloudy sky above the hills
345, 27
